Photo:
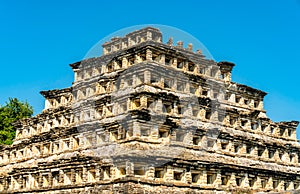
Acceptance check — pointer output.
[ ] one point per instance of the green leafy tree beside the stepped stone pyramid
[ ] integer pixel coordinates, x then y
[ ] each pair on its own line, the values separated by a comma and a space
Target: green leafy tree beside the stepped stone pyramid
12, 111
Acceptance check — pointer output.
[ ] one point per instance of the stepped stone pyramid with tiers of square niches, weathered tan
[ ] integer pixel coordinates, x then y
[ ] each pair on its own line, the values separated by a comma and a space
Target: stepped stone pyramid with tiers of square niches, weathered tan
149, 117
